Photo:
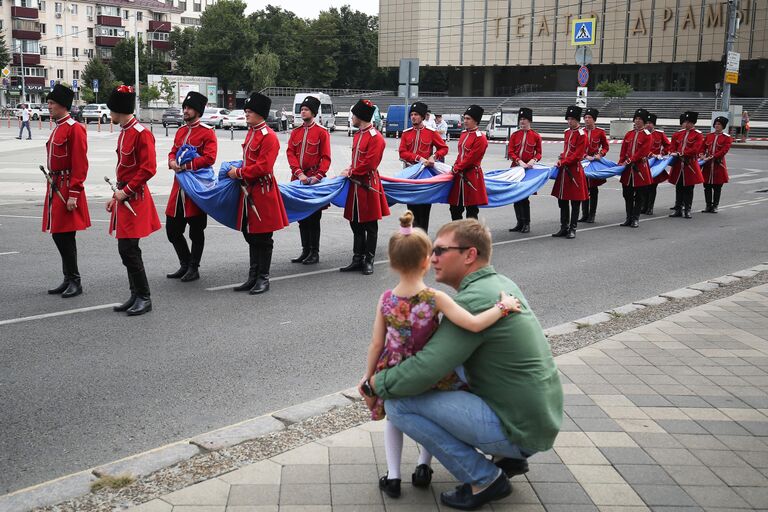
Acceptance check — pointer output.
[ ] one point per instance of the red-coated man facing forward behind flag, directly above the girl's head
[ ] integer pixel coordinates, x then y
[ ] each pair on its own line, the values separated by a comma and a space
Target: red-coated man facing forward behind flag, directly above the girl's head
421, 144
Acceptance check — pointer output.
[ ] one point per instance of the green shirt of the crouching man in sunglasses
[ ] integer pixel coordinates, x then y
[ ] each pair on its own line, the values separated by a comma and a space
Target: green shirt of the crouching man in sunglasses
509, 365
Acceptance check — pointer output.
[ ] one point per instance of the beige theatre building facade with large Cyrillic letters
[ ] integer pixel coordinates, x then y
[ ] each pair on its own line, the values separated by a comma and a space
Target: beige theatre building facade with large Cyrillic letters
498, 47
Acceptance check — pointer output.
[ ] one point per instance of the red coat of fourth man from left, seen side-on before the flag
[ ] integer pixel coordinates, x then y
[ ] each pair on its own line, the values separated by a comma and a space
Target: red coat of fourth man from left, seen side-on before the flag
260, 151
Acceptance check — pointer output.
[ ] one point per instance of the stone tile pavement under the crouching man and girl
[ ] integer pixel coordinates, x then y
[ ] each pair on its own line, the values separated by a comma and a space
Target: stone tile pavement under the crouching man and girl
672, 415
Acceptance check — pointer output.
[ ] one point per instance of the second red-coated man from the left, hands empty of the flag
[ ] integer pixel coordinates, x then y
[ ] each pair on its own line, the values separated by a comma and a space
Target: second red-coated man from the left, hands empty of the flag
136, 164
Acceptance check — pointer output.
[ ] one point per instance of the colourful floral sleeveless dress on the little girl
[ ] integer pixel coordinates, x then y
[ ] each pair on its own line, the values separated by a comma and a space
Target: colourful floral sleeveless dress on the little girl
410, 323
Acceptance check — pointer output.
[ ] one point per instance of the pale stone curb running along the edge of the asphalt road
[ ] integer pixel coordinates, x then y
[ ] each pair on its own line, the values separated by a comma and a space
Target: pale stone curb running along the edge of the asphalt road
78, 484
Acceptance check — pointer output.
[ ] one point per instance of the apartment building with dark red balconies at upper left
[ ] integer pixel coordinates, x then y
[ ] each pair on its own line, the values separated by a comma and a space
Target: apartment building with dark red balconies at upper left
55, 39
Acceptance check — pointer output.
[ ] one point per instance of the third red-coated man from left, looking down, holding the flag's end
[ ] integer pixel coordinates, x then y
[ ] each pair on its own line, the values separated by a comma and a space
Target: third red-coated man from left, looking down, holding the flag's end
181, 210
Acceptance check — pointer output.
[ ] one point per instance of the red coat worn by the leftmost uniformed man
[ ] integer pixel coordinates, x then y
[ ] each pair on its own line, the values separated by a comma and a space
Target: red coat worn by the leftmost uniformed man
67, 149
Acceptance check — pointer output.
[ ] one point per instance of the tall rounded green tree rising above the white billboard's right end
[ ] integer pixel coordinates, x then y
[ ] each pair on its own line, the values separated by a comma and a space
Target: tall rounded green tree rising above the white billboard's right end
223, 43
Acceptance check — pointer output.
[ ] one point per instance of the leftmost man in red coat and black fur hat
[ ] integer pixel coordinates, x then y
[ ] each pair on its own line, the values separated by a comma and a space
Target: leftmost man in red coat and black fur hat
67, 149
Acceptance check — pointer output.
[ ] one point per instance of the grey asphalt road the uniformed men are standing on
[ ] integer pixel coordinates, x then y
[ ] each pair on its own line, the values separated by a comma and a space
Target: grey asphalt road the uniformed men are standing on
85, 388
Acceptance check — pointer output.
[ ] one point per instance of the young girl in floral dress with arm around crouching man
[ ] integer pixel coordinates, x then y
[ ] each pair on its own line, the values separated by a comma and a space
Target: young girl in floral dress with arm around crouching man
406, 318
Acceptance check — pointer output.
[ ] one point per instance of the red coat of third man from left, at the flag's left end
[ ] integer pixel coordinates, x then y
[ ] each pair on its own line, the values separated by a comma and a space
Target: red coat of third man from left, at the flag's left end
204, 139
